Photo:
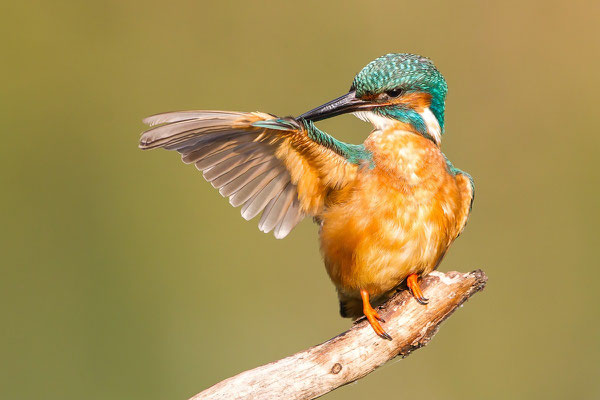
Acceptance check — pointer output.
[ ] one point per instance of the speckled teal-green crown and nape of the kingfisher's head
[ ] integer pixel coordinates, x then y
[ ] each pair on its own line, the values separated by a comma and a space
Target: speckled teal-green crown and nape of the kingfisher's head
409, 72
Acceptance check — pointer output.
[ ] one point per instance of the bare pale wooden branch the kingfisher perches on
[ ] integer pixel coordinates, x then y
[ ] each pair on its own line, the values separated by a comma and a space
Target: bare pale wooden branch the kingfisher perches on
357, 352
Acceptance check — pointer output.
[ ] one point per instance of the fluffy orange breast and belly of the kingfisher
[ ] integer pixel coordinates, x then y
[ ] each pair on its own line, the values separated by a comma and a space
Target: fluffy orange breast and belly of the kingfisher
395, 219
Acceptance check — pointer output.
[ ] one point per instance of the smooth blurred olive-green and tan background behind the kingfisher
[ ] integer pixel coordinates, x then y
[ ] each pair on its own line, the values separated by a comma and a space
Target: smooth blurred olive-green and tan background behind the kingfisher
126, 276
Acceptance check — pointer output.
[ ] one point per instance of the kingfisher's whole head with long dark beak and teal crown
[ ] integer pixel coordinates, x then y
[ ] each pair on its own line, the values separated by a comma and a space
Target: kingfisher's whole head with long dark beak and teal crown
395, 88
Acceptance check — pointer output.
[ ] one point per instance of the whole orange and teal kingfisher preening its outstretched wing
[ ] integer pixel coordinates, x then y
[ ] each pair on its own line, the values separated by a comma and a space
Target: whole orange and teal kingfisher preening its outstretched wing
387, 209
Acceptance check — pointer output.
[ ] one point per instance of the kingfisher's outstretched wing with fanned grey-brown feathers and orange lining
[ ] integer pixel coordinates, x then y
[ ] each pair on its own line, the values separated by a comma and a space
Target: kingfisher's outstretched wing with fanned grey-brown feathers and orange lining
262, 163
